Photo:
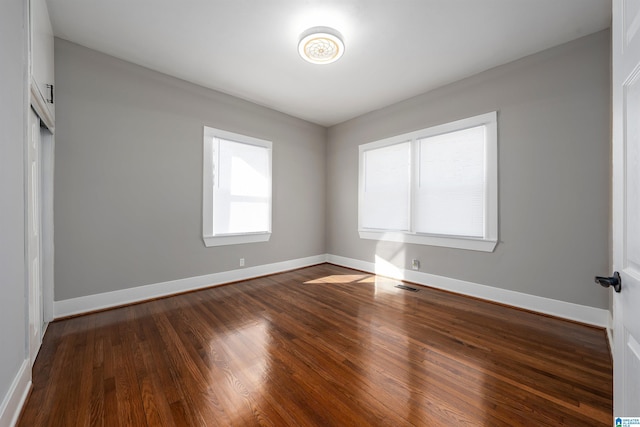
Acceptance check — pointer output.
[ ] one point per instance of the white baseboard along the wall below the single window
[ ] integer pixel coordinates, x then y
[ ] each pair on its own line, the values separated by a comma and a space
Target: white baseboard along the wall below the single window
90, 303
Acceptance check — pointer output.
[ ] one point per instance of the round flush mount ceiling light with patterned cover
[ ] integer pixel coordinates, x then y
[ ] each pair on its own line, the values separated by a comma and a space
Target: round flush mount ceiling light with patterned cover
321, 45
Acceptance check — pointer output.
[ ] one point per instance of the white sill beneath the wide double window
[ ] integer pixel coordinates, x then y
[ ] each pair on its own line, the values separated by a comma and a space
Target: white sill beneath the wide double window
468, 243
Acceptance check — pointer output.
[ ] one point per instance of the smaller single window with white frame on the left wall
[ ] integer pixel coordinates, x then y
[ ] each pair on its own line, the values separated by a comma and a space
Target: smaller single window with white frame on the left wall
236, 188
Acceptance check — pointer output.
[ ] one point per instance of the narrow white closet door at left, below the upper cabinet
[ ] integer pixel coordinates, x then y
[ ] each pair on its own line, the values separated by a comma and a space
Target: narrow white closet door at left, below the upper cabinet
33, 237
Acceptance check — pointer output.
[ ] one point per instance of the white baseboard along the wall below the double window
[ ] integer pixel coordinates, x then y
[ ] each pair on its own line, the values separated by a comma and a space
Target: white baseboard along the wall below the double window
566, 310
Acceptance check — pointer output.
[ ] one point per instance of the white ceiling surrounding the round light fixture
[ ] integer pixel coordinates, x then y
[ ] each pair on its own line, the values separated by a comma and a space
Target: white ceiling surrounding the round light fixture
395, 49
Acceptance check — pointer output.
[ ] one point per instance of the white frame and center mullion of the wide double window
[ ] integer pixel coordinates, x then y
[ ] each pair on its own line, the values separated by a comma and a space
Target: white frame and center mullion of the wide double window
488, 242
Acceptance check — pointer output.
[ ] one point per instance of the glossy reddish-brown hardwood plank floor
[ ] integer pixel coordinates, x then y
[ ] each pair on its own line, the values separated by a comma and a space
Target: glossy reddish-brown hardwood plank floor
320, 346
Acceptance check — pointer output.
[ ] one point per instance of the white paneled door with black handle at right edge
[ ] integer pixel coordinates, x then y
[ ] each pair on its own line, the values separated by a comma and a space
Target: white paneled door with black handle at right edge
626, 205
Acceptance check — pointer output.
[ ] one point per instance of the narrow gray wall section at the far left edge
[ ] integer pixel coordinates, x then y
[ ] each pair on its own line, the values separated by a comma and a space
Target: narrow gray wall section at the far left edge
13, 317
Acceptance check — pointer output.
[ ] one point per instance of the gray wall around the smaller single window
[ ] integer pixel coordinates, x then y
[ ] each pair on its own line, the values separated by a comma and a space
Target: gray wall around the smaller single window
128, 177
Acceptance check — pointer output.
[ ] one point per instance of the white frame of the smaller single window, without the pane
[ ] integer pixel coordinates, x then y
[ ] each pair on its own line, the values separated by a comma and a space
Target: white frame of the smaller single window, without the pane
210, 239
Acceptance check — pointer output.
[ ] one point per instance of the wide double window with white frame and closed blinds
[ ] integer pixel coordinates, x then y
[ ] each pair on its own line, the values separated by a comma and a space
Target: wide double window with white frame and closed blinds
435, 186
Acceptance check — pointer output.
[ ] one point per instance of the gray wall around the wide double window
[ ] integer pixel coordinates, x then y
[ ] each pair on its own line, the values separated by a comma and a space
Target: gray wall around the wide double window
553, 136
